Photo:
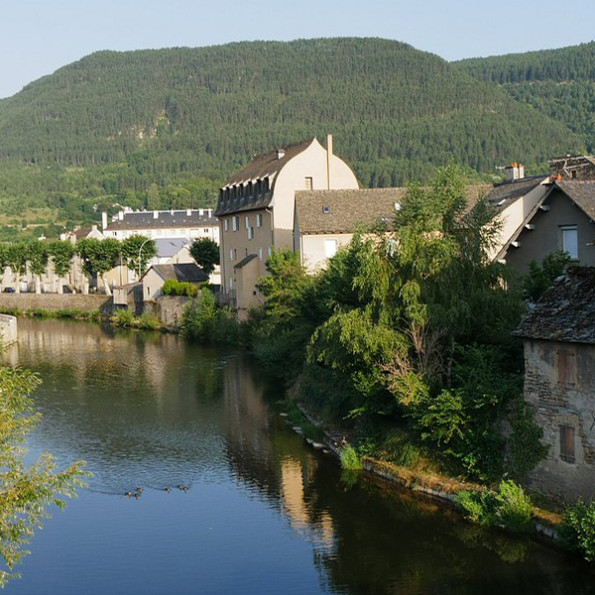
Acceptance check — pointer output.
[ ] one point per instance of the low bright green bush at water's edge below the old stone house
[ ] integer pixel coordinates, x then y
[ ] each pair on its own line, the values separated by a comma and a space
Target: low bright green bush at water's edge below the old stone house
509, 507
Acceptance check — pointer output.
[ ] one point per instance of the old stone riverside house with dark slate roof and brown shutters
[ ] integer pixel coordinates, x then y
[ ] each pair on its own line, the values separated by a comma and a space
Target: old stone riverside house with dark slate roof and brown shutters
559, 344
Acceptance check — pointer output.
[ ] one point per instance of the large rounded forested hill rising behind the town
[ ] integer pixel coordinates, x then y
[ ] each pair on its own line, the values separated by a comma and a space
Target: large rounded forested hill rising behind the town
163, 128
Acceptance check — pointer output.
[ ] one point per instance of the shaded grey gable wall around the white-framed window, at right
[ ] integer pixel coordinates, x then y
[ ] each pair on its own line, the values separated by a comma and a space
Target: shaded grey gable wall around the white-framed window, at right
547, 235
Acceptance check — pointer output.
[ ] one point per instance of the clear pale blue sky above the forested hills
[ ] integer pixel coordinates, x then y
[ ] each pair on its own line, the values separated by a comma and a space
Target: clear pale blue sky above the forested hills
40, 36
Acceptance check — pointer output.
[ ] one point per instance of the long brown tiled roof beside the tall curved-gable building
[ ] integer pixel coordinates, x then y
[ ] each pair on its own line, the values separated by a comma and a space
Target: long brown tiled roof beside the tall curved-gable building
341, 211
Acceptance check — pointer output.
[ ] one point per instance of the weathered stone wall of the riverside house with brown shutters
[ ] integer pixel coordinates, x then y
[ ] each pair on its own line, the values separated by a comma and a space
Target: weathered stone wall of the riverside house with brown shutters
562, 401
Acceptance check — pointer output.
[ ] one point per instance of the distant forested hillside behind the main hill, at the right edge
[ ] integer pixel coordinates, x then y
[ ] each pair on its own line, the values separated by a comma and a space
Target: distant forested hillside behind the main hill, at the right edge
559, 83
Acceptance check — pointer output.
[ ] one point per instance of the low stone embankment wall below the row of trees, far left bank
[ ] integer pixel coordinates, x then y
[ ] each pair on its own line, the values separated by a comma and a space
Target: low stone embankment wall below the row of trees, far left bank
54, 301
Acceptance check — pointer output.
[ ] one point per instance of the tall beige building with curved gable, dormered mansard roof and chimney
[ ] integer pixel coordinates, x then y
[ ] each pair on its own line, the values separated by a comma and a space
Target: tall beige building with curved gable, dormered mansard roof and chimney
256, 211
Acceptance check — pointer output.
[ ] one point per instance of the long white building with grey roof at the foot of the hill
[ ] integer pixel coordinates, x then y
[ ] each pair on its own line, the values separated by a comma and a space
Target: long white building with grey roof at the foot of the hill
188, 224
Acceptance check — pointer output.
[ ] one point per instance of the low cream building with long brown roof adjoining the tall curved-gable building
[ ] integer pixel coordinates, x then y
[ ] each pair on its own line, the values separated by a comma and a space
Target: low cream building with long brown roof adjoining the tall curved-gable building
325, 220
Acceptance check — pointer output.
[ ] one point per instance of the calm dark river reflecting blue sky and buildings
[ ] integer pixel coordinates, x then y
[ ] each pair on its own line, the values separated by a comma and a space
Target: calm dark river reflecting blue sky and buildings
263, 513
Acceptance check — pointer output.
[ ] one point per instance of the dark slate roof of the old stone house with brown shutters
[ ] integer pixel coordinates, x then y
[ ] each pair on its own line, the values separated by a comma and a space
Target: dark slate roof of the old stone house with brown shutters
566, 312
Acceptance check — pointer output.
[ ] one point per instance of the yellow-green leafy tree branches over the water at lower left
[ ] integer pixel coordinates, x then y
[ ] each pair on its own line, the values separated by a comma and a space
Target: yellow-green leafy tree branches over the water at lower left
25, 493
